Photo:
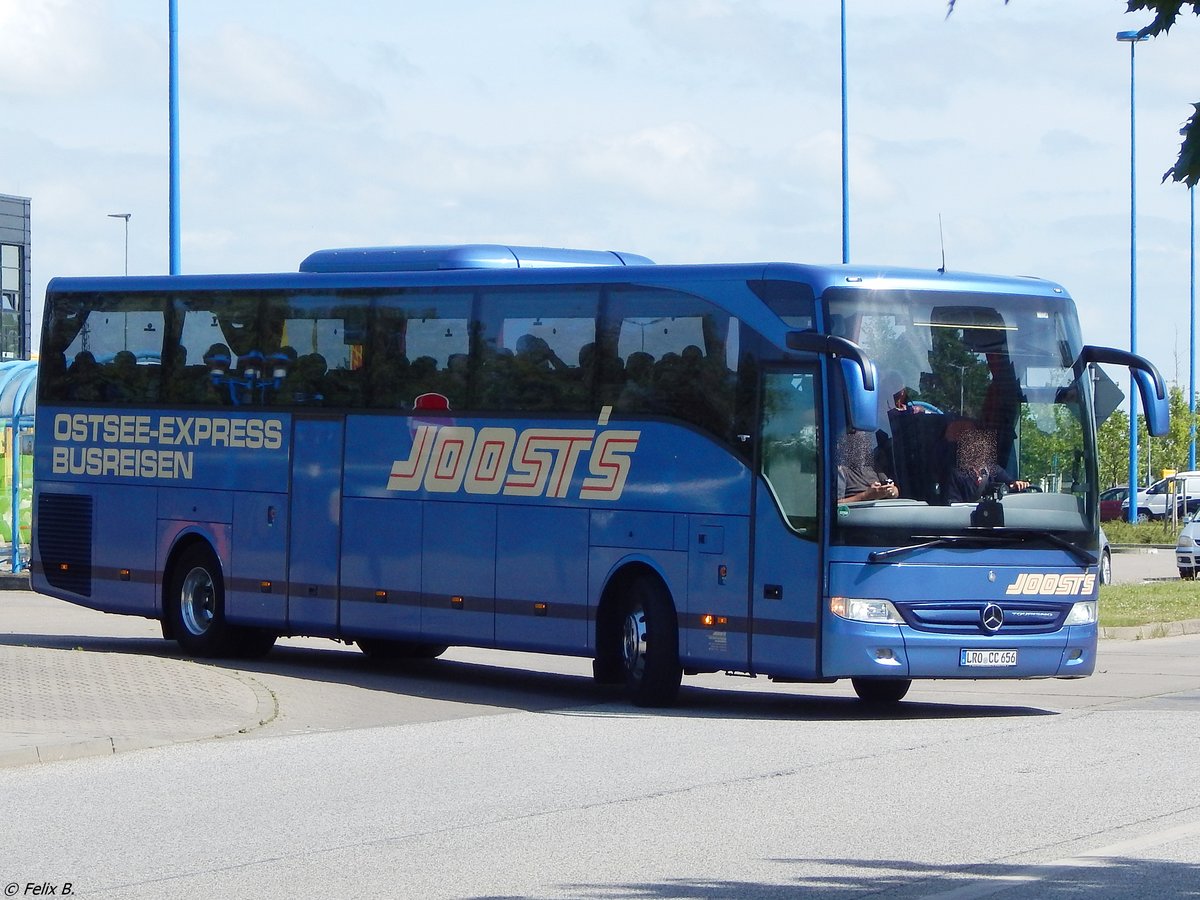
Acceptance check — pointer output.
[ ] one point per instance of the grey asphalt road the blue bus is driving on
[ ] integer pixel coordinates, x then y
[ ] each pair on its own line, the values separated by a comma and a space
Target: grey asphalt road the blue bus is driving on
490, 775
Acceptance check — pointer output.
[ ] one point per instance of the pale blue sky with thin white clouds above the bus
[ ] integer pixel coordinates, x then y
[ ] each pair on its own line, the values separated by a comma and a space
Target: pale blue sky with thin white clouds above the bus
689, 131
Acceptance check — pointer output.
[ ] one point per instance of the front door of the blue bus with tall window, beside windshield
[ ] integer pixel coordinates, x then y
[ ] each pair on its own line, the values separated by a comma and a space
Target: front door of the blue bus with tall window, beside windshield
788, 583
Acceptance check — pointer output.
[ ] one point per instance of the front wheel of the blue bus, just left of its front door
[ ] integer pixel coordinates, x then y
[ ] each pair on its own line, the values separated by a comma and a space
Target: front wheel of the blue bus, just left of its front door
650, 647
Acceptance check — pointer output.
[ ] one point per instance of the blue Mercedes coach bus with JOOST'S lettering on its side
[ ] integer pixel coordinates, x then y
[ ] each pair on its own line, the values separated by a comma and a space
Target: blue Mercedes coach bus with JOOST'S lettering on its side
803, 472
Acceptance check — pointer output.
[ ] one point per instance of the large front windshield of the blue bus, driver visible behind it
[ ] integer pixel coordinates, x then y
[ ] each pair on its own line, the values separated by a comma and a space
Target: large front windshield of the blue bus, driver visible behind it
983, 419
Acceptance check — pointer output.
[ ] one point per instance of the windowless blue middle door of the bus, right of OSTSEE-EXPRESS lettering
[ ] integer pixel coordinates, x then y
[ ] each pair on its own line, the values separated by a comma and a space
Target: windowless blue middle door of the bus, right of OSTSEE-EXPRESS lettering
315, 545
